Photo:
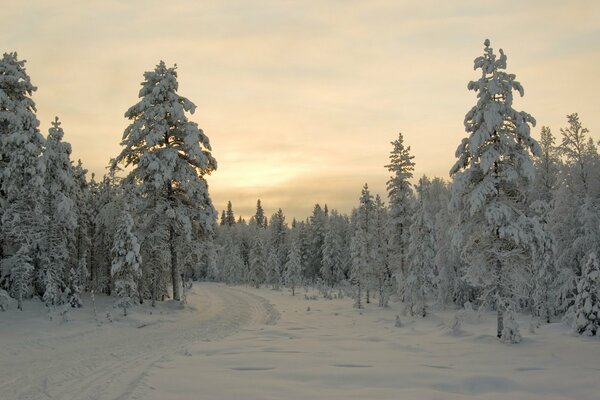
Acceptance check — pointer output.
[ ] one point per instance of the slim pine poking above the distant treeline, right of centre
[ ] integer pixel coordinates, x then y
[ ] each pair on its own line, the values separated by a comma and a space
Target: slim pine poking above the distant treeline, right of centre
399, 199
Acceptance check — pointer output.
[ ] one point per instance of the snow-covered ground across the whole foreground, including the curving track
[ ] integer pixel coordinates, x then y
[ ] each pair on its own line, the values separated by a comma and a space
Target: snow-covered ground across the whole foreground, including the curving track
231, 343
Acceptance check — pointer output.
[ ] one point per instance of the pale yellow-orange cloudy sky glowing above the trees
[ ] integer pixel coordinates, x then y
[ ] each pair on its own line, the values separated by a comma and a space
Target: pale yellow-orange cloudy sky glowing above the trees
301, 99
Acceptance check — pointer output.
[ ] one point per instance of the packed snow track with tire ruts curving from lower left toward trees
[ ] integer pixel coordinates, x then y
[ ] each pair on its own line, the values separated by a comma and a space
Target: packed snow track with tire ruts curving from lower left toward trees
110, 363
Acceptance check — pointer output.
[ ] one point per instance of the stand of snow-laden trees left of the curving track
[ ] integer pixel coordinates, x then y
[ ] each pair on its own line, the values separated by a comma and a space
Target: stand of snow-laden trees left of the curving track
62, 234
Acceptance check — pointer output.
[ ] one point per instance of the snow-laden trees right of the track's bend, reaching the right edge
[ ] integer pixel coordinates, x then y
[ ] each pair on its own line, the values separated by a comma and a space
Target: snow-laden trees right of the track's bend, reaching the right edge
516, 229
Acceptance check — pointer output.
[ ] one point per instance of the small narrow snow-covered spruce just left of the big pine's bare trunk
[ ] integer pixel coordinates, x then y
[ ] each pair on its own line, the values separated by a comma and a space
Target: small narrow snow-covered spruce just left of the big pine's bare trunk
126, 261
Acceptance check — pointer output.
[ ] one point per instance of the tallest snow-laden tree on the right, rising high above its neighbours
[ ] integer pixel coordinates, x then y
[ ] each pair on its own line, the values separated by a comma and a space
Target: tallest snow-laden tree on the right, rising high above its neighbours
491, 179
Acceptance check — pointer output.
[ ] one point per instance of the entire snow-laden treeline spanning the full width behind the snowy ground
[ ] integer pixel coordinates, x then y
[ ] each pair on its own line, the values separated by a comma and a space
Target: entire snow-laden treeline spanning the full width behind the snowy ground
517, 227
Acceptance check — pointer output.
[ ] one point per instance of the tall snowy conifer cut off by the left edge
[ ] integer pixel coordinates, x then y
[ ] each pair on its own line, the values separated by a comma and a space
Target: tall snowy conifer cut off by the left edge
21, 179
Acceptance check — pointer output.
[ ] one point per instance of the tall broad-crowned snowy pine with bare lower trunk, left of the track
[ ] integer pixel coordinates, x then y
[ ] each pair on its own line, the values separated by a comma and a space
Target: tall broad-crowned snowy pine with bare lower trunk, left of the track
170, 156
